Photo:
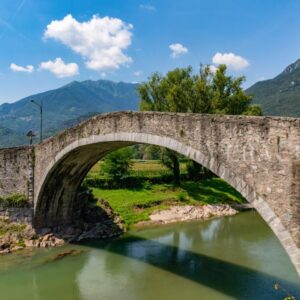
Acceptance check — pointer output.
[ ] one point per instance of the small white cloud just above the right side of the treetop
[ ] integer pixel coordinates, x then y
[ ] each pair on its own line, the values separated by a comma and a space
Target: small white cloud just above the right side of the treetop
234, 62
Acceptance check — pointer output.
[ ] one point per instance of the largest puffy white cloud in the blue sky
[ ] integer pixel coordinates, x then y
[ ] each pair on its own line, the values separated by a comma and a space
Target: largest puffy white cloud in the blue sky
100, 41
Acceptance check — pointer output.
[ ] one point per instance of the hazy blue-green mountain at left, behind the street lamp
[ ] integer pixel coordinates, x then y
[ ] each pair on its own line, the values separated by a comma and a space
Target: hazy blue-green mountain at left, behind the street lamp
63, 108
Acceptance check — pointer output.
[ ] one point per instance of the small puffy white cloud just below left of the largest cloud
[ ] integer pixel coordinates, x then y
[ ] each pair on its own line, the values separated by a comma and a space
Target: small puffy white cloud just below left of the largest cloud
59, 68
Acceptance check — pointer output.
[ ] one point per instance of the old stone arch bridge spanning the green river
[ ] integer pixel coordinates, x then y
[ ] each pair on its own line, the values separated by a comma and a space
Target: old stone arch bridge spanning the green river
258, 156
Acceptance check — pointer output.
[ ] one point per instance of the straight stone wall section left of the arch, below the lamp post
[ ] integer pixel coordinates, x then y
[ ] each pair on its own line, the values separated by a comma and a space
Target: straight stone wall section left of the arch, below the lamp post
16, 171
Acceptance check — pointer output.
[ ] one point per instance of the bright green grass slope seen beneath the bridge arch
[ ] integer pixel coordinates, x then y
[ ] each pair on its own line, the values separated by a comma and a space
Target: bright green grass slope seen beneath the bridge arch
135, 205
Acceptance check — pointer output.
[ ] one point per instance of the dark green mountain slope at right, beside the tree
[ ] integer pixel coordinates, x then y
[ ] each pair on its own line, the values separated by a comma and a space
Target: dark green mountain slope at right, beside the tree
279, 96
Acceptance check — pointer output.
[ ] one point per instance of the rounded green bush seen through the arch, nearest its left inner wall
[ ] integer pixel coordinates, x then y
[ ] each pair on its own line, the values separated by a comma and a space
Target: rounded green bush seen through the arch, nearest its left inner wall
117, 164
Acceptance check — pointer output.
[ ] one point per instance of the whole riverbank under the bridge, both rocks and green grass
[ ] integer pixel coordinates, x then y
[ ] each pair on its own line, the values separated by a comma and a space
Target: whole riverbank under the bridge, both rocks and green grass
151, 204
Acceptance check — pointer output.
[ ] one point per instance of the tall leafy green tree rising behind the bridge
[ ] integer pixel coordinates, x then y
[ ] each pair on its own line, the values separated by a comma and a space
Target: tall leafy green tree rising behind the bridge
180, 90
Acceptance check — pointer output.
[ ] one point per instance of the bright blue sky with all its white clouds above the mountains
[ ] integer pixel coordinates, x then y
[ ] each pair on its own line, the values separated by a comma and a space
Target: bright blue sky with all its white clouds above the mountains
46, 44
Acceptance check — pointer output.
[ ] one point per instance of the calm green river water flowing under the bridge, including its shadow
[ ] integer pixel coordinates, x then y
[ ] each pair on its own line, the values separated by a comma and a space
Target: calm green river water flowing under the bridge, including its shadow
229, 258
